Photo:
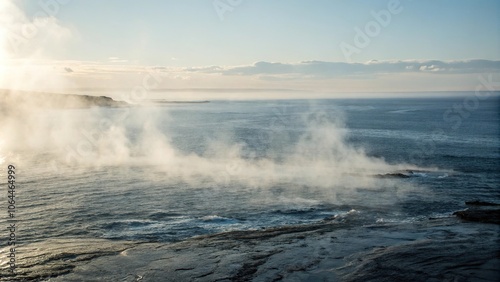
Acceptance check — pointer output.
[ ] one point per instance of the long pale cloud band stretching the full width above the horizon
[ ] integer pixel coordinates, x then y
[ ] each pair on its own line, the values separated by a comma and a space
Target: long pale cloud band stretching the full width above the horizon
319, 76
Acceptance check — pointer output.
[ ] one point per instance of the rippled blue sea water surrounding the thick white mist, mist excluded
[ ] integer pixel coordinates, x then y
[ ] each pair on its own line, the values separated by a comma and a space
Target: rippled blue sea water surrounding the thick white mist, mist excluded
132, 200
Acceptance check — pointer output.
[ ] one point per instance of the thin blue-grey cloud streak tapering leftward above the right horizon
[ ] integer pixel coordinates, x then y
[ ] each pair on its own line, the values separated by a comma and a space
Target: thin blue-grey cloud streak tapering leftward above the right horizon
322, 69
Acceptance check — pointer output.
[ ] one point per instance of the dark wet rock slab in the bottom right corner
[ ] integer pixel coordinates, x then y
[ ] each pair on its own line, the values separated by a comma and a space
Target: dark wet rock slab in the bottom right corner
454, 259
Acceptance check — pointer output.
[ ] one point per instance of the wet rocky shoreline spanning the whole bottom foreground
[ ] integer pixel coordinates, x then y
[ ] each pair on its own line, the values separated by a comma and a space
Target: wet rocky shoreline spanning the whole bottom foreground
434, 250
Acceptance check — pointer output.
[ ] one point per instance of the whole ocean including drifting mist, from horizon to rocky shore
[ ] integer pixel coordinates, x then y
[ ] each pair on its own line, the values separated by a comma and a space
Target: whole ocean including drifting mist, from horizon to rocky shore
167, 172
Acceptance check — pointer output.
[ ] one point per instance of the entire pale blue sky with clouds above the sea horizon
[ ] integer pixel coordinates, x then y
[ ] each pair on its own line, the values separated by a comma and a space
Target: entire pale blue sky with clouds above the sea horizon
325, 46
